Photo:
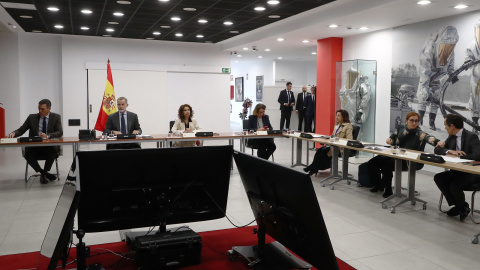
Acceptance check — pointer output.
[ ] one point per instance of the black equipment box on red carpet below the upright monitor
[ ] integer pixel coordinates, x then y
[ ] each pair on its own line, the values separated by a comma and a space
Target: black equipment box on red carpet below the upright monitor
167, 250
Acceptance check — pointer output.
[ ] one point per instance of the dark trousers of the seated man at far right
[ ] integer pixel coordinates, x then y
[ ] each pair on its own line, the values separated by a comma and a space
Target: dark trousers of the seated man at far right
452, 183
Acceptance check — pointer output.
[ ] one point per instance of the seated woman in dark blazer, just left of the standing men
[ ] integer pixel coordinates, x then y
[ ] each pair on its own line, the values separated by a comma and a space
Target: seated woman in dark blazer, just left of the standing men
259, 121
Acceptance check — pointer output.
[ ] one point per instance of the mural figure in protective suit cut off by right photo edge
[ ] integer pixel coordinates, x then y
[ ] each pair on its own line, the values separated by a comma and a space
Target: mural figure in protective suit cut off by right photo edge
472, 54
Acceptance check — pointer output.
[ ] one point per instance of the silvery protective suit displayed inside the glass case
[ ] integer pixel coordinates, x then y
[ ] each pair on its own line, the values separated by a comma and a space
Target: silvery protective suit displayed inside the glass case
355, 96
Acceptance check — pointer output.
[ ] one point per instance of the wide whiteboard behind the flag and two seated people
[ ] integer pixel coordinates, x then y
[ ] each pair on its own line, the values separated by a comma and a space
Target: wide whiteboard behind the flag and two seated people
156, 96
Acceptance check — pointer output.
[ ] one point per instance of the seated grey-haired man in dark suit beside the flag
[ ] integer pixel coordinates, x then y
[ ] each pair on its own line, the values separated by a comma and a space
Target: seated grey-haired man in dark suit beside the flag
123, 122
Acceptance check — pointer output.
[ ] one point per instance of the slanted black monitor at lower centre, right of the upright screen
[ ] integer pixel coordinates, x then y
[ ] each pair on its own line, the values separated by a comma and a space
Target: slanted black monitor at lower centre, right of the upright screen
285, 205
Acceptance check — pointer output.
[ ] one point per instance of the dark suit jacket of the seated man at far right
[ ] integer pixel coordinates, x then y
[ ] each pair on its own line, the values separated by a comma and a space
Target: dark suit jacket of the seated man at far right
469, 144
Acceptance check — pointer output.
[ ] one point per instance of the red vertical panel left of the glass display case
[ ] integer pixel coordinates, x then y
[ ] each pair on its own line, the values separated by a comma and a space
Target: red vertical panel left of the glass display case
329, 51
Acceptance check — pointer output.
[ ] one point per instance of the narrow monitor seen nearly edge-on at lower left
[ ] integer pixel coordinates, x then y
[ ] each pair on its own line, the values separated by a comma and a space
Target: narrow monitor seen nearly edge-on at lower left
55, 243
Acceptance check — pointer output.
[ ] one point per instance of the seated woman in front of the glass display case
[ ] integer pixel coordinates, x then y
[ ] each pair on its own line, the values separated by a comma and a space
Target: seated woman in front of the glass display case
323, 156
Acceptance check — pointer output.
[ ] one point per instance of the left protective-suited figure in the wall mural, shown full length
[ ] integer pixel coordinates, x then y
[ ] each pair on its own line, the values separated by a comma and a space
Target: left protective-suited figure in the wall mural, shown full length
436, 64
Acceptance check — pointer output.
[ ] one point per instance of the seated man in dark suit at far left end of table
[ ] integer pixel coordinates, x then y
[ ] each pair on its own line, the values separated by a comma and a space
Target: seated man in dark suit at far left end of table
47, 125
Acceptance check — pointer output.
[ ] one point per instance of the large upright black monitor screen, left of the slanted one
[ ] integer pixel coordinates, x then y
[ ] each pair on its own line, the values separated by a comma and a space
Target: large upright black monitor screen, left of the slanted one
124, 189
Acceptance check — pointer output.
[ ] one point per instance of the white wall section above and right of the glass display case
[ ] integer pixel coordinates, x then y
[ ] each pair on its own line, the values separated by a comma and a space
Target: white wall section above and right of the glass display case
375, 46
